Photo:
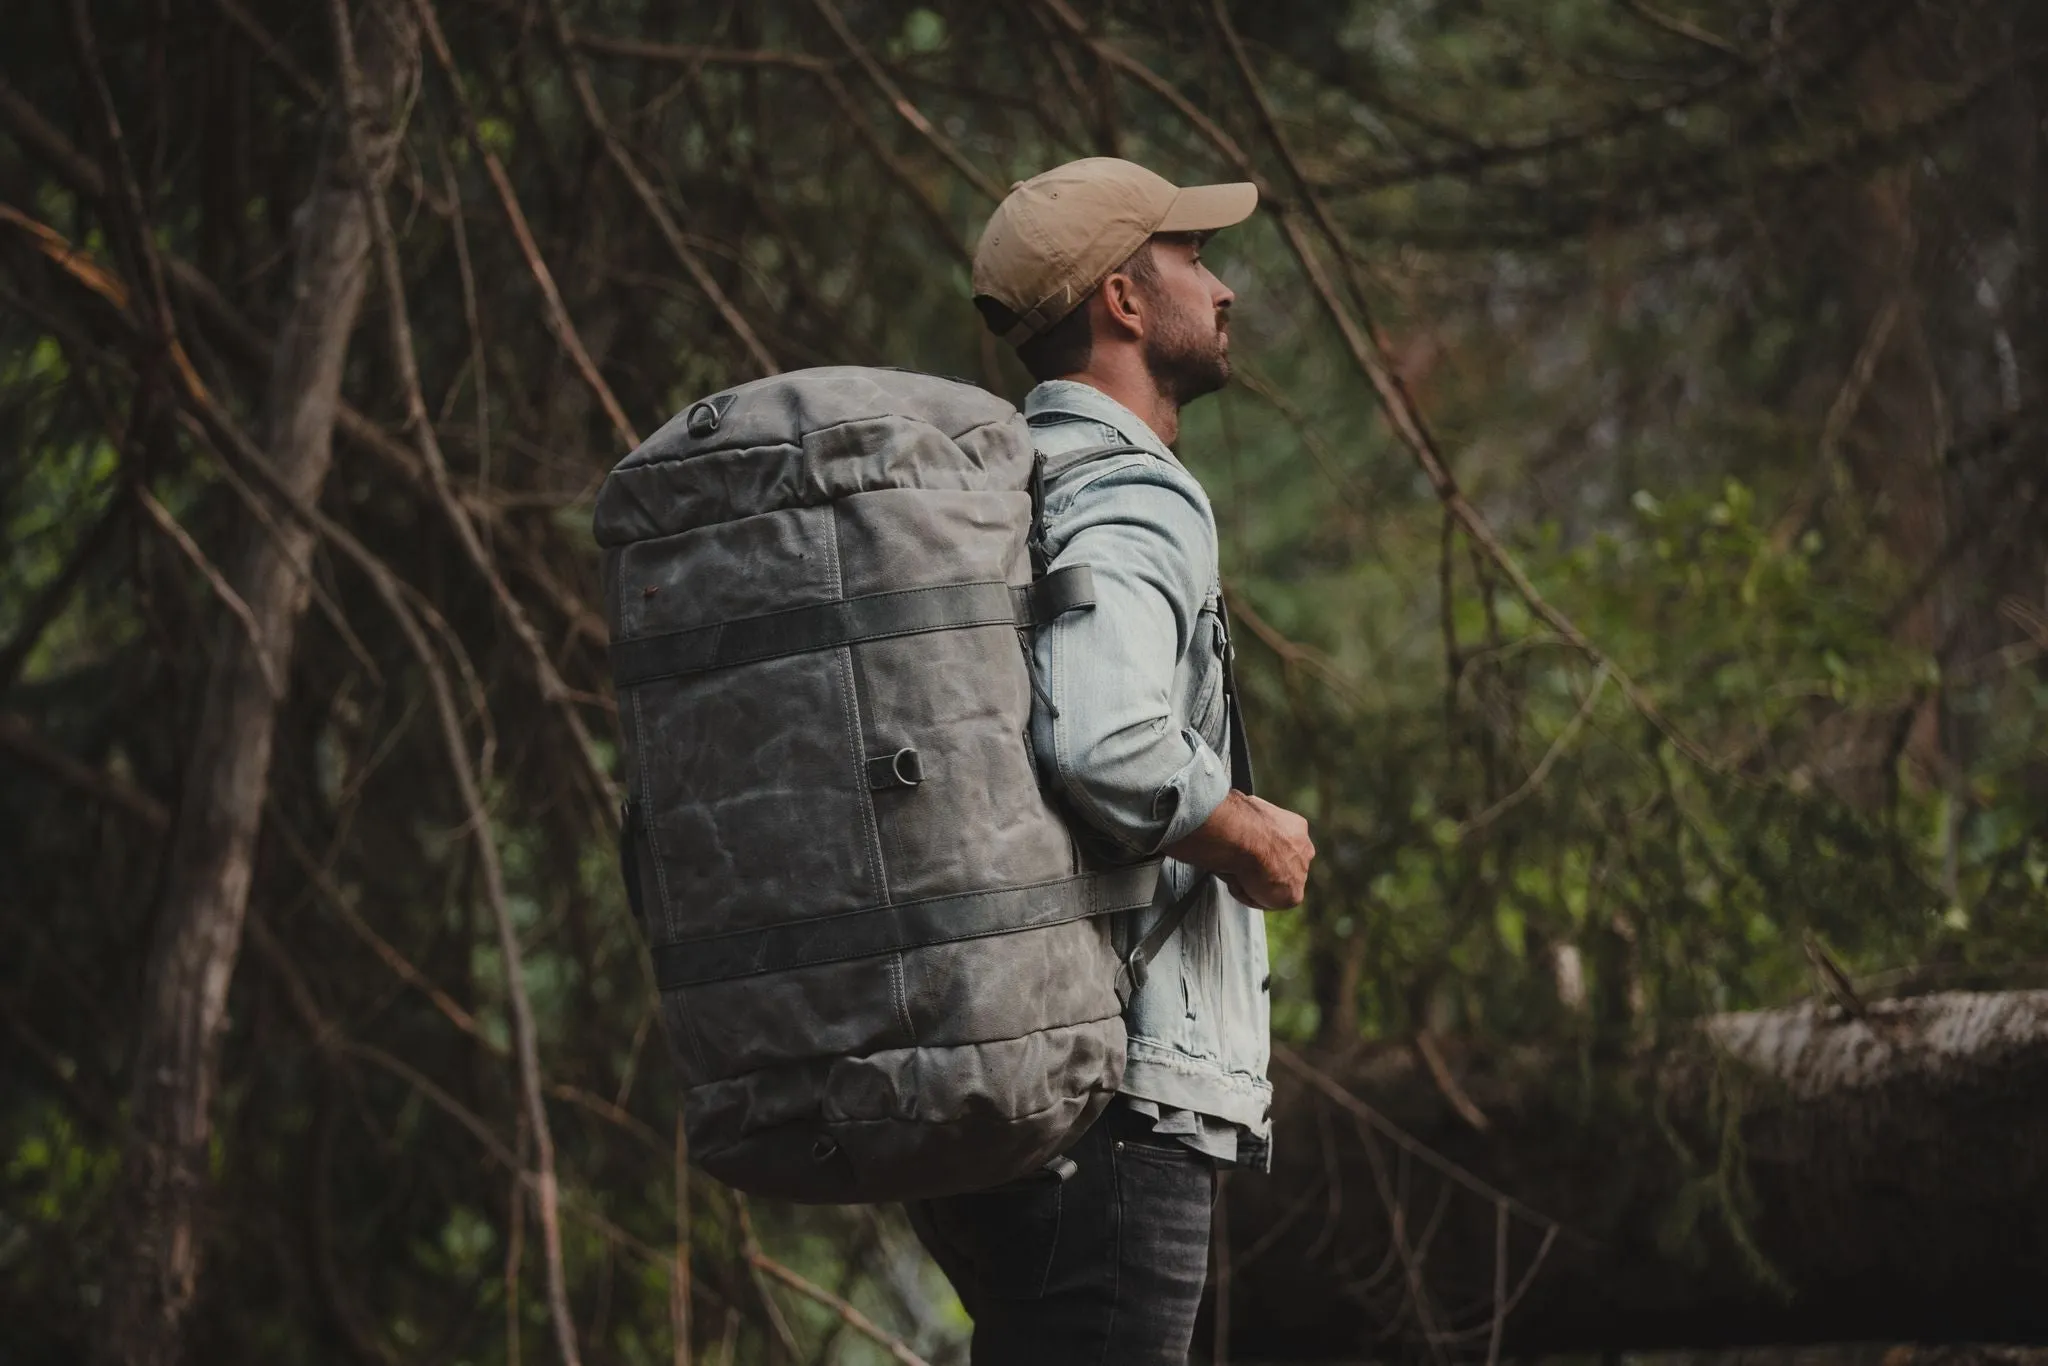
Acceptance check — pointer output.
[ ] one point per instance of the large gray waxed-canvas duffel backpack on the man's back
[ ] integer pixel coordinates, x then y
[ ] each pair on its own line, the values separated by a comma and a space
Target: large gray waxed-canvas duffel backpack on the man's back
888, 970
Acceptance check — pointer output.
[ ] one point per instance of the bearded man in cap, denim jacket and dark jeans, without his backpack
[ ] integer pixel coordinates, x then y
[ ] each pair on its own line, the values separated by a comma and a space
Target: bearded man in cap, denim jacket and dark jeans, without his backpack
1095, 273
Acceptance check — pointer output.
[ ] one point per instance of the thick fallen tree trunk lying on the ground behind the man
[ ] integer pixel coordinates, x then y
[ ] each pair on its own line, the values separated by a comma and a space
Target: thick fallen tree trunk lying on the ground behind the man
1768, 1179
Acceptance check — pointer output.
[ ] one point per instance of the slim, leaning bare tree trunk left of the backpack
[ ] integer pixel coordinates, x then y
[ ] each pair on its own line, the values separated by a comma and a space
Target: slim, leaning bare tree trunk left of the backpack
153, 1285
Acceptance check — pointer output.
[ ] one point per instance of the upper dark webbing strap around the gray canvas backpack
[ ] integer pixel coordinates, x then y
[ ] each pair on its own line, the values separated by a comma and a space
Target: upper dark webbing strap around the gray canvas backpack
876, 617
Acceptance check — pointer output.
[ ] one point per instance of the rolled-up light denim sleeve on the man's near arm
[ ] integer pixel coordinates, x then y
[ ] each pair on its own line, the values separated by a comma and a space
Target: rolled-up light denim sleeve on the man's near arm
1111, 738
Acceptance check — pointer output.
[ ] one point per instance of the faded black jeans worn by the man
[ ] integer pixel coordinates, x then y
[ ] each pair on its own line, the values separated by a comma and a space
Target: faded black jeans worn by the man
1103, 1269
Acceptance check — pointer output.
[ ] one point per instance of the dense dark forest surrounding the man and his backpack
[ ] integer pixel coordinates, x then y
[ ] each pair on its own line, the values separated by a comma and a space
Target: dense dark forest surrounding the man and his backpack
1631, 507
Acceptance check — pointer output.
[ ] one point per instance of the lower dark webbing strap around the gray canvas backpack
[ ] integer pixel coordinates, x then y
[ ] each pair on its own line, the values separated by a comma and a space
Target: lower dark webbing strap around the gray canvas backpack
910, 925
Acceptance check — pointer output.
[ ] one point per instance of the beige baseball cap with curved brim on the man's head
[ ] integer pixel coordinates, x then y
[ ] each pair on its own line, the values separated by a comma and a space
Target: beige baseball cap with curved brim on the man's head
1062, 232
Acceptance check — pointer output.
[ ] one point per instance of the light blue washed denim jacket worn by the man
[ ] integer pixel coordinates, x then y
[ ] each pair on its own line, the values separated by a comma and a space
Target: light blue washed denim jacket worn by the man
1136, 740
